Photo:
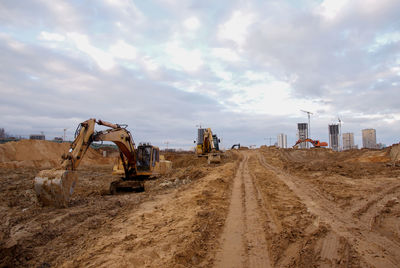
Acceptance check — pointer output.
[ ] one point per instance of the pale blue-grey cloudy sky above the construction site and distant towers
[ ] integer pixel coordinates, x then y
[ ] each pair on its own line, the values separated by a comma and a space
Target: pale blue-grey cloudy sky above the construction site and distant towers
243, 68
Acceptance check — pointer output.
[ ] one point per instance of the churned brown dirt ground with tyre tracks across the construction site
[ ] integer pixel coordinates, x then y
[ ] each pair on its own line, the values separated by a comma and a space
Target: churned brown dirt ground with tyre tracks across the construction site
259, 208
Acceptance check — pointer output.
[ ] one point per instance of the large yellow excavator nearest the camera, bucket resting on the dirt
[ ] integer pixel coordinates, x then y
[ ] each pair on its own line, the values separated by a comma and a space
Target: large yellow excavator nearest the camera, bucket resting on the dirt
54, 187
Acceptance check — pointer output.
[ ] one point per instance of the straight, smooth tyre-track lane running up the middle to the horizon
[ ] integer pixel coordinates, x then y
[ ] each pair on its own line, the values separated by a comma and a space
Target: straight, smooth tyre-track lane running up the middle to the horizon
243, 242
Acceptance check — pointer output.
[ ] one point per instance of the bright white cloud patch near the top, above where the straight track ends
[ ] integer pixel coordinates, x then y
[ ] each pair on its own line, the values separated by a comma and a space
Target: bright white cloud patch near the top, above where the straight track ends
235, 29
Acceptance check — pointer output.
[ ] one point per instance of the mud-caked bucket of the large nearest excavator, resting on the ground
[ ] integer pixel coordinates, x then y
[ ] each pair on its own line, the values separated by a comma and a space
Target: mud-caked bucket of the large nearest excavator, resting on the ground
54, 187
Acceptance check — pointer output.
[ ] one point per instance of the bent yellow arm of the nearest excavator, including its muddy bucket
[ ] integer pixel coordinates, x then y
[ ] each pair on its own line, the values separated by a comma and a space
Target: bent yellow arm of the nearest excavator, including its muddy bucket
55, 186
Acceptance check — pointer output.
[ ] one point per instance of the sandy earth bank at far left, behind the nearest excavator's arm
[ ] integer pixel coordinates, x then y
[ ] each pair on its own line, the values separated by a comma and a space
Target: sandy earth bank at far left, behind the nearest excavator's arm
42, 154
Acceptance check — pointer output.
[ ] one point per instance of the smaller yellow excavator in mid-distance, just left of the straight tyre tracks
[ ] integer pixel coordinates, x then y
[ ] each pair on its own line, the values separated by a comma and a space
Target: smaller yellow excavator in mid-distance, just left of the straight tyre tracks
208, 145
